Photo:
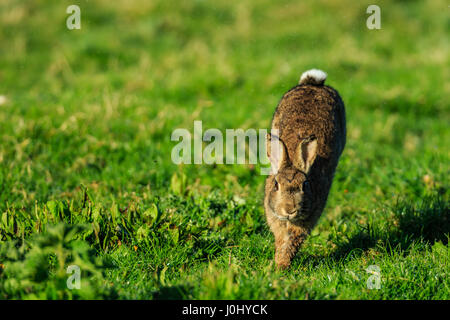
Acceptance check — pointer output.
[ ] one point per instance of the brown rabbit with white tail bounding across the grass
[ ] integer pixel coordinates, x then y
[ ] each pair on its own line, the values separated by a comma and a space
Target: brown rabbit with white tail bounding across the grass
307, 137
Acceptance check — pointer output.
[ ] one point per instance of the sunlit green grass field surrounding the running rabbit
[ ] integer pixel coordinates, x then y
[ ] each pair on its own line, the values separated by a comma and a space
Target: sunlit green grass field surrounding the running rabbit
86, 176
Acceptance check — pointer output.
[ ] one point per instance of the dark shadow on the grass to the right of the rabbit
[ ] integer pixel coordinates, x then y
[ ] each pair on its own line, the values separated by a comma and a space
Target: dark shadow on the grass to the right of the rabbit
427, 222
